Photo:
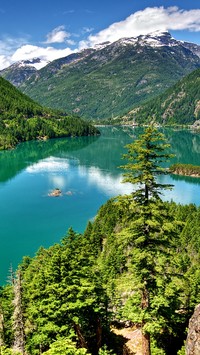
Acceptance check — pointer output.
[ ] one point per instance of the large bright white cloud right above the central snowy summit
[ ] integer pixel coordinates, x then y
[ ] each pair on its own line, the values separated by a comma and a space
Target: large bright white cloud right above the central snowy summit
148, 20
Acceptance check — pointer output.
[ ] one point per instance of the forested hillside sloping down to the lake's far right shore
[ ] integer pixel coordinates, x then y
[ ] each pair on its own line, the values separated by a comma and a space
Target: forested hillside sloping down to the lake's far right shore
179, 104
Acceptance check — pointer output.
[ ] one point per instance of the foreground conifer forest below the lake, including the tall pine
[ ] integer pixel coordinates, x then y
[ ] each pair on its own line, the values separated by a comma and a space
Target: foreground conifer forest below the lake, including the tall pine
136, 267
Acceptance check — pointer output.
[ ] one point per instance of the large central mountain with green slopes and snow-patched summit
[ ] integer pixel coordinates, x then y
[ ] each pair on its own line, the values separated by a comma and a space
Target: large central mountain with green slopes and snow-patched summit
108, 81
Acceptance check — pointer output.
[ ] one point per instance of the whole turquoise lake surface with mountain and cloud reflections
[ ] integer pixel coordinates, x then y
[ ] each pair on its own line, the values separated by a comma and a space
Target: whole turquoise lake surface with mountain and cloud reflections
87, 171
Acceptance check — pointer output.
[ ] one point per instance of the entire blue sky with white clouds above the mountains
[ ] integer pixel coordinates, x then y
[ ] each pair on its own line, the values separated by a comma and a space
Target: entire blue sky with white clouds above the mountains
52, 29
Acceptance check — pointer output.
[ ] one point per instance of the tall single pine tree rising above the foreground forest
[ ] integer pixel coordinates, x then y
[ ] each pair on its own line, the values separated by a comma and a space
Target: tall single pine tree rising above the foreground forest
150, 231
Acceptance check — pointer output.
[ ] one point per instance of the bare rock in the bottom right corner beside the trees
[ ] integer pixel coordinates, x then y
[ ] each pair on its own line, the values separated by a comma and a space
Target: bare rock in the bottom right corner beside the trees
193, 338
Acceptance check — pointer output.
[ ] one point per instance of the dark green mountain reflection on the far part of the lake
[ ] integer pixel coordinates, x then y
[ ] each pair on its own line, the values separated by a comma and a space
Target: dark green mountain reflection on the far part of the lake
104, 152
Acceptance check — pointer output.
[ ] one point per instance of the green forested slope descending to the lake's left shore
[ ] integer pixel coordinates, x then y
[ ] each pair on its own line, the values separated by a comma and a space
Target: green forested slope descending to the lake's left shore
22, 119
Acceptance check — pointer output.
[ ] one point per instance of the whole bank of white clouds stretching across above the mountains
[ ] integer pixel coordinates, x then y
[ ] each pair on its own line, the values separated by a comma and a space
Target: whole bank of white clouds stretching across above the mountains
141, 22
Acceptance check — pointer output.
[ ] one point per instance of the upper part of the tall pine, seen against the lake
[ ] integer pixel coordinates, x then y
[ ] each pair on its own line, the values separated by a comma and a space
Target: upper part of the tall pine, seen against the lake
145, 157
